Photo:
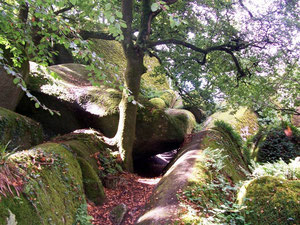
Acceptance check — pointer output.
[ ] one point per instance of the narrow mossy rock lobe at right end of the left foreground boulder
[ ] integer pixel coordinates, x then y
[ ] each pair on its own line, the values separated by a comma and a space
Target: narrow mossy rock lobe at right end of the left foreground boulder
92, 184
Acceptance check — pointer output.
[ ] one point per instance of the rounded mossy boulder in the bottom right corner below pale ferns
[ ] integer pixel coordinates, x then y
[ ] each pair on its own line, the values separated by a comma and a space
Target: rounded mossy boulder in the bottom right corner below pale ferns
271, 200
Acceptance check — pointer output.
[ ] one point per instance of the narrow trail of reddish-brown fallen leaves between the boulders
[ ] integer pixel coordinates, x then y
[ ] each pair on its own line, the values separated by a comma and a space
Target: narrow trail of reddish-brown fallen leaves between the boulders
131, 190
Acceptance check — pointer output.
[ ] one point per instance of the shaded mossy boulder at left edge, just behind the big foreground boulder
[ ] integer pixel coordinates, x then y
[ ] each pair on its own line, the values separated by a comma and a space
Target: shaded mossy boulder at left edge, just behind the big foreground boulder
20, 131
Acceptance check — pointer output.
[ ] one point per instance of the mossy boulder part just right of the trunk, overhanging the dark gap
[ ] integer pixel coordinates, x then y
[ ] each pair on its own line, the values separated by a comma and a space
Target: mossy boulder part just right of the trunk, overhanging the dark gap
160, 131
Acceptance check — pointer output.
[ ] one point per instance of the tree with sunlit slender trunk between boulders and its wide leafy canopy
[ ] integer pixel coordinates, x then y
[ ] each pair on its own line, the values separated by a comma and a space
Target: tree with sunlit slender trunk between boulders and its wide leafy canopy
210, 48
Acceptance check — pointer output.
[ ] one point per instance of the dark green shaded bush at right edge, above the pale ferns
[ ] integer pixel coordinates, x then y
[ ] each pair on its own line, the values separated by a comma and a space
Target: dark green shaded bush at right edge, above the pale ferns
277, 145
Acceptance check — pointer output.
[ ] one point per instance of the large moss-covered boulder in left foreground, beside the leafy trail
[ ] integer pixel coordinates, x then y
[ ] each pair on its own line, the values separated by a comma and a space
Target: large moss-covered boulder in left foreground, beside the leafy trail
53, 180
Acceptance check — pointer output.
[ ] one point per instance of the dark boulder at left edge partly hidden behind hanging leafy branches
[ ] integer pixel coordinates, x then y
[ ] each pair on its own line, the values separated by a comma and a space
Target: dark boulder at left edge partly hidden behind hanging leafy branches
11, 94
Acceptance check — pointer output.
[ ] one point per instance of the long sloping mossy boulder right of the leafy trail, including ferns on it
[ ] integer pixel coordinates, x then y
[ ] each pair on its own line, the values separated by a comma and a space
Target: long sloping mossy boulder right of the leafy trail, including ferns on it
195, 169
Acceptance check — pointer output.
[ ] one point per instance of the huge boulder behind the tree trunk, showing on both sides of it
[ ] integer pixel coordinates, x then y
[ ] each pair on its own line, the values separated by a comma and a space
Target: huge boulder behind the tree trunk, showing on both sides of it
82, 105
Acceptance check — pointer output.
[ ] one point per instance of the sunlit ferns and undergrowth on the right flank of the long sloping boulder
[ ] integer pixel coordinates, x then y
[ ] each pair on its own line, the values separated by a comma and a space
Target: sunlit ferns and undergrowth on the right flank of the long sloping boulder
214, 201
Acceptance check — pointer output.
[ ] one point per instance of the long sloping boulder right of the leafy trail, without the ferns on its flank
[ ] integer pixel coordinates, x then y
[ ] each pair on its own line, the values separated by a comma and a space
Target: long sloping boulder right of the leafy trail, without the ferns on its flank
190, 168
